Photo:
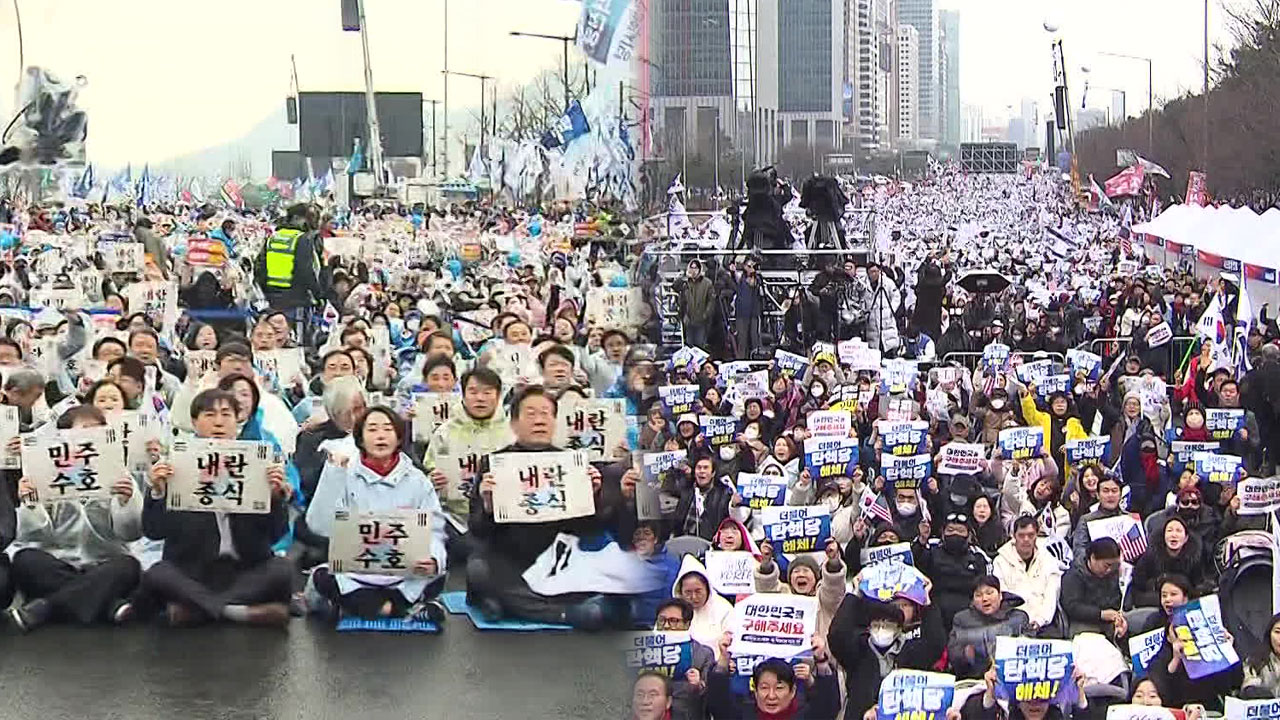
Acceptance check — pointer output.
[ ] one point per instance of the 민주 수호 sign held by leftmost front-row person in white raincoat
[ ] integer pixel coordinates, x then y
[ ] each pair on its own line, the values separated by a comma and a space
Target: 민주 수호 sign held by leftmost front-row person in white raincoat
72, 466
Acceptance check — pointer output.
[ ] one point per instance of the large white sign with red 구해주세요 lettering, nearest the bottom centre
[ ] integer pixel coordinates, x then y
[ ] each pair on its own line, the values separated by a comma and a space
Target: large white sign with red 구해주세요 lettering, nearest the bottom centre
775, 626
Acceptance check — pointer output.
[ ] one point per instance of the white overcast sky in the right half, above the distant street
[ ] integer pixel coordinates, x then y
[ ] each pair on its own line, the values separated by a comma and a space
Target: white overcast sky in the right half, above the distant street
1005, 51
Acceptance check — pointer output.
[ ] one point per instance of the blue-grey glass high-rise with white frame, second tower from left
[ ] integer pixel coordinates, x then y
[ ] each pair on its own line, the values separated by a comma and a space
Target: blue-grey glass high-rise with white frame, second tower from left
811, 66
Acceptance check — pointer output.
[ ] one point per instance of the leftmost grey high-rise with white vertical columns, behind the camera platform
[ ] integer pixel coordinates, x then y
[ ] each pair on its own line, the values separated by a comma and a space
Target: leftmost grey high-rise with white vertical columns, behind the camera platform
712, 74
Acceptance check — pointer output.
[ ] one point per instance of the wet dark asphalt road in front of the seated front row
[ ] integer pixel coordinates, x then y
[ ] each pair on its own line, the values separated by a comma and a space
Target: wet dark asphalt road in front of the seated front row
309, 672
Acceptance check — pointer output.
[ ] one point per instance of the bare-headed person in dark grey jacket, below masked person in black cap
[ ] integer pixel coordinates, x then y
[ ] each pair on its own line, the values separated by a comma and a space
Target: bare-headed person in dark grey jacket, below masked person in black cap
973, 634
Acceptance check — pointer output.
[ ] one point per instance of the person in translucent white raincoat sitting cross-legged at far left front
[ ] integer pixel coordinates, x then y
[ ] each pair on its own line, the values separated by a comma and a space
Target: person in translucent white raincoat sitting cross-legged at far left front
71, 559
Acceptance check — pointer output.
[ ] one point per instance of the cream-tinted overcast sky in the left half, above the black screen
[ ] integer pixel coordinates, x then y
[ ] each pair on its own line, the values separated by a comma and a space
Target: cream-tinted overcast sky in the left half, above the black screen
167, 79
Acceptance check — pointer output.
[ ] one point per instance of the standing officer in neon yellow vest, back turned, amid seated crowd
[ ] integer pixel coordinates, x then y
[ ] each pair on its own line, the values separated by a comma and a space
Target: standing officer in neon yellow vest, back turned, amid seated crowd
289, 268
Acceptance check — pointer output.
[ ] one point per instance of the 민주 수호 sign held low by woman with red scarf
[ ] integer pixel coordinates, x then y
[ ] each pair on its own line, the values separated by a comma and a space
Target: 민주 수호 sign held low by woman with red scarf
390, 543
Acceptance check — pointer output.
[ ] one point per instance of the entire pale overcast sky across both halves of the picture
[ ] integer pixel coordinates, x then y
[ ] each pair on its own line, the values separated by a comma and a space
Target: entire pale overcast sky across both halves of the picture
167, 80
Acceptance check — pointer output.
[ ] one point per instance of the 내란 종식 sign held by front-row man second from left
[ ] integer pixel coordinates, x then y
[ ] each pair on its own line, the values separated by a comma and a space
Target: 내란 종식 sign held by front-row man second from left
220, 476
